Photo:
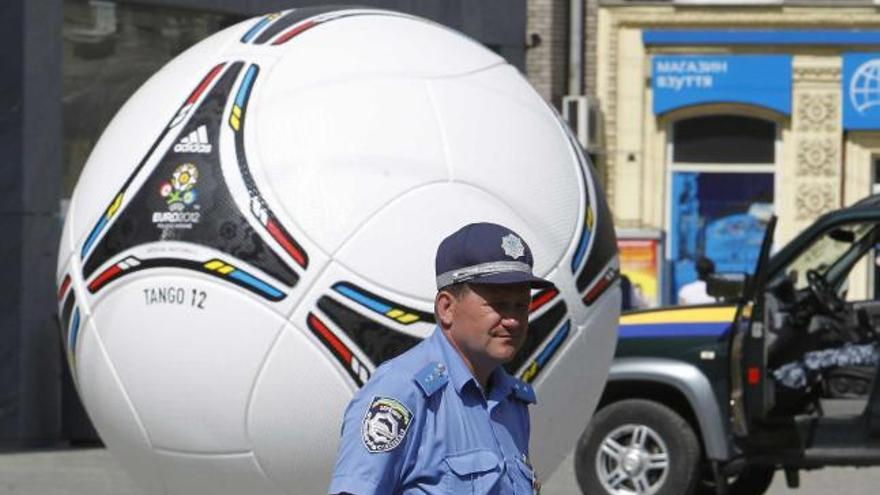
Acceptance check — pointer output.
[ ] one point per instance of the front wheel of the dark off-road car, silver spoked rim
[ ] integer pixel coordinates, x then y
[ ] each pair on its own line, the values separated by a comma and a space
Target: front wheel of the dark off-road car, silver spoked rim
637, 446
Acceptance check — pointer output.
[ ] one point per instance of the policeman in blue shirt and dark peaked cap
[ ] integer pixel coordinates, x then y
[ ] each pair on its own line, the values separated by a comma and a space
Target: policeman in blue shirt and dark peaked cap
445, 417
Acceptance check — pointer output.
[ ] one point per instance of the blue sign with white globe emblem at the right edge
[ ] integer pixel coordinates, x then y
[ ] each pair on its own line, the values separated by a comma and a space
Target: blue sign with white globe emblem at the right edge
861, 91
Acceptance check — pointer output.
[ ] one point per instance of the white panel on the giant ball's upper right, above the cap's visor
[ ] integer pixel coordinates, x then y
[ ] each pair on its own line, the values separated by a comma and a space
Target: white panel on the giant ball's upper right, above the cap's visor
512, 145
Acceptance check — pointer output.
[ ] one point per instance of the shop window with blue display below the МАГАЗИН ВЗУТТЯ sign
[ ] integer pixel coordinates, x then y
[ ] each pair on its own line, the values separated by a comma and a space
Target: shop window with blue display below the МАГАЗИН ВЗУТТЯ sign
721, 193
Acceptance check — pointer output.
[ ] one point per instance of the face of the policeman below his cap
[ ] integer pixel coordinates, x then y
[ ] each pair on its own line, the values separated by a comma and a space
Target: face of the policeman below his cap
489, 322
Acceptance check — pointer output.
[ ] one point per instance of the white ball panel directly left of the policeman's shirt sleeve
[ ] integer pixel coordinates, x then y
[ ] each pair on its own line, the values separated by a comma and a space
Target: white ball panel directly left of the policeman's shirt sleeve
296, 413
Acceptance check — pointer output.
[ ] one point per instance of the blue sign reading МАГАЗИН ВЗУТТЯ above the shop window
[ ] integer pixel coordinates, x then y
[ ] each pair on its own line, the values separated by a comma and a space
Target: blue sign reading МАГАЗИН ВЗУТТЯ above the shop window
684, 80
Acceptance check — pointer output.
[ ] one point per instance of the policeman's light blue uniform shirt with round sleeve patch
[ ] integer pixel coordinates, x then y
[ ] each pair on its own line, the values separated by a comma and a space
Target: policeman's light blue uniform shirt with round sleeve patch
422, 425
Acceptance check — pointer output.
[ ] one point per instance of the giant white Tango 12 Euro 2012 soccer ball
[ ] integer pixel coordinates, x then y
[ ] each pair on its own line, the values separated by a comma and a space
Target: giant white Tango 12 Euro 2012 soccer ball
255, 232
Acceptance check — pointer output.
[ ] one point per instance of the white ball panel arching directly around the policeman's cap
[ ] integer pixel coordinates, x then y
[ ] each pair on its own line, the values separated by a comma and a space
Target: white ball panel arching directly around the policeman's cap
397, 245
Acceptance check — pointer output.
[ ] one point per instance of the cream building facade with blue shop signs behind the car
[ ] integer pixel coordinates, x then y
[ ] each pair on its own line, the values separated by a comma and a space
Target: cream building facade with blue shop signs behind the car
717, 114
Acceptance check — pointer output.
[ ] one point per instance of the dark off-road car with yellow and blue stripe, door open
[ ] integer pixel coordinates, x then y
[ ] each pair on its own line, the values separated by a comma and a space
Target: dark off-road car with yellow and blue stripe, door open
781, 375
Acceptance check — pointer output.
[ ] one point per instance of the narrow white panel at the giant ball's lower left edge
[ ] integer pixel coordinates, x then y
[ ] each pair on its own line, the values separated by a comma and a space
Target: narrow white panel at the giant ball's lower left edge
110, 409
